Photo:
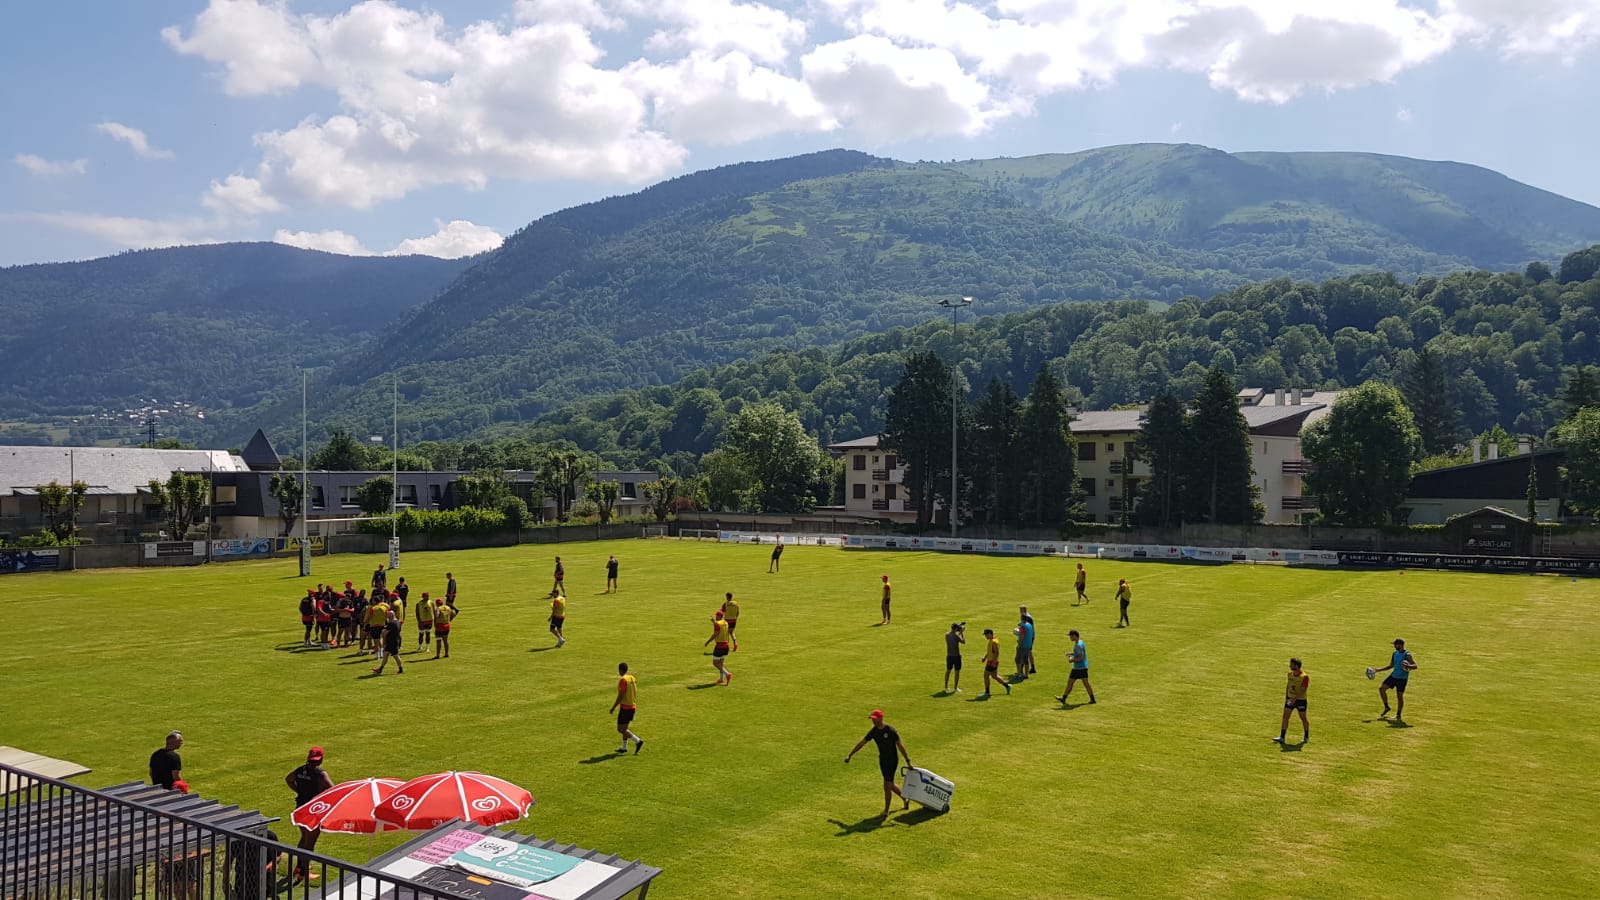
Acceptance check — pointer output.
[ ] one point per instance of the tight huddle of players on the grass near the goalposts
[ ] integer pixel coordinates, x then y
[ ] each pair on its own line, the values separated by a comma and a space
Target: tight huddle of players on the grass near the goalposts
374, 622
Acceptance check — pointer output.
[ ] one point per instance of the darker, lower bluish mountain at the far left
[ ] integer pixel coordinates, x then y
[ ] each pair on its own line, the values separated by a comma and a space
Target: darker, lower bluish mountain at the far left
217, 326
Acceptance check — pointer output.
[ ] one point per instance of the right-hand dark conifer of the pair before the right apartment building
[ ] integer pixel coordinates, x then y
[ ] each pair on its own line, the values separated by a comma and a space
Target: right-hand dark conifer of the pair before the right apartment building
1217, 464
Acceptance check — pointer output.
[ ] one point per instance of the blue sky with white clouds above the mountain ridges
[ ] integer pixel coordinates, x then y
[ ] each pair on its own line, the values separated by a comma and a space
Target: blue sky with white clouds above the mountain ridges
409, 127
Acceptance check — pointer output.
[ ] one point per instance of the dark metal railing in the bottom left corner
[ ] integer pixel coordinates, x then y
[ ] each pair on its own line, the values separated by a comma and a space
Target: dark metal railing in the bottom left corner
135, 842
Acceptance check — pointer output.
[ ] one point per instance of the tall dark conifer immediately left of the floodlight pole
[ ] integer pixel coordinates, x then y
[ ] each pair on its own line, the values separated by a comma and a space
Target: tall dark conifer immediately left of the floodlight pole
918, 430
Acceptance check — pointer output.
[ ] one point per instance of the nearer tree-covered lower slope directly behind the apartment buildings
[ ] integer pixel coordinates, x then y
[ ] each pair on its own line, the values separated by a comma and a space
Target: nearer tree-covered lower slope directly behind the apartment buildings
1505, 342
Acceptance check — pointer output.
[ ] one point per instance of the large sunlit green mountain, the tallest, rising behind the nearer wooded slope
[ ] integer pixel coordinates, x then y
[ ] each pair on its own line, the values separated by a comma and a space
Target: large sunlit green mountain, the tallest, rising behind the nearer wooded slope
822, 249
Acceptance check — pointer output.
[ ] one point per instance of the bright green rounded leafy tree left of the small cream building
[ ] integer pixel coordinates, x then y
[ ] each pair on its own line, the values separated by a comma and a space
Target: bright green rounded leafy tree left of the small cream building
780, 456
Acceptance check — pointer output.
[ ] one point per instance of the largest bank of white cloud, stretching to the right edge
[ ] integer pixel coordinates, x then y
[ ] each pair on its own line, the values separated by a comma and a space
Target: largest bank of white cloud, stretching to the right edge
532, 97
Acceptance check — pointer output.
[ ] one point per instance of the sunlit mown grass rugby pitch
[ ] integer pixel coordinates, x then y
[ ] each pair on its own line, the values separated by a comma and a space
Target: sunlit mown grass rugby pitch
1169, 787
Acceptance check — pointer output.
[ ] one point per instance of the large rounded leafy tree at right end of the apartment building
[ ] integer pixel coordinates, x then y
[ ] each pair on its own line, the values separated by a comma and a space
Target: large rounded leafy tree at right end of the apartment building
1361, 456
